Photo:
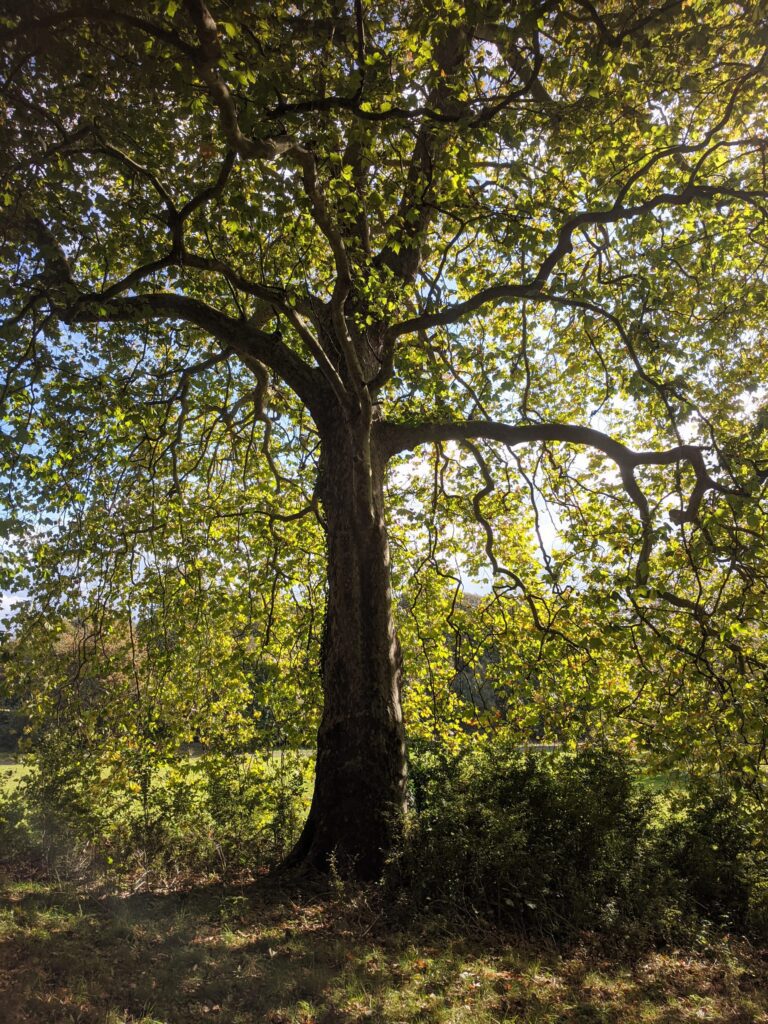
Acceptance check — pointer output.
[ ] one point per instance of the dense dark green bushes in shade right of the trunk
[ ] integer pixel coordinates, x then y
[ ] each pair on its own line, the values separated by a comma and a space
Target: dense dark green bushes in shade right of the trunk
556, 844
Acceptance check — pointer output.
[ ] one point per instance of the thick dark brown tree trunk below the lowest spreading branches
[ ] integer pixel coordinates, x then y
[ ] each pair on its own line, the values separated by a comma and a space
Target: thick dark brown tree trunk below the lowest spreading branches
358, 805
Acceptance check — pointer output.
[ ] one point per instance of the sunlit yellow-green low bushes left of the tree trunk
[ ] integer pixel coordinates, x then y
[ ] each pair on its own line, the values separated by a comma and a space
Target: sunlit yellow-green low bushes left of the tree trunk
222, 816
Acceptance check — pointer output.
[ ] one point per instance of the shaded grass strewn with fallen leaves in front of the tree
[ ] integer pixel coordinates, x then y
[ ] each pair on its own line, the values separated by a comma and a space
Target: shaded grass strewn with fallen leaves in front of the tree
268, 955
